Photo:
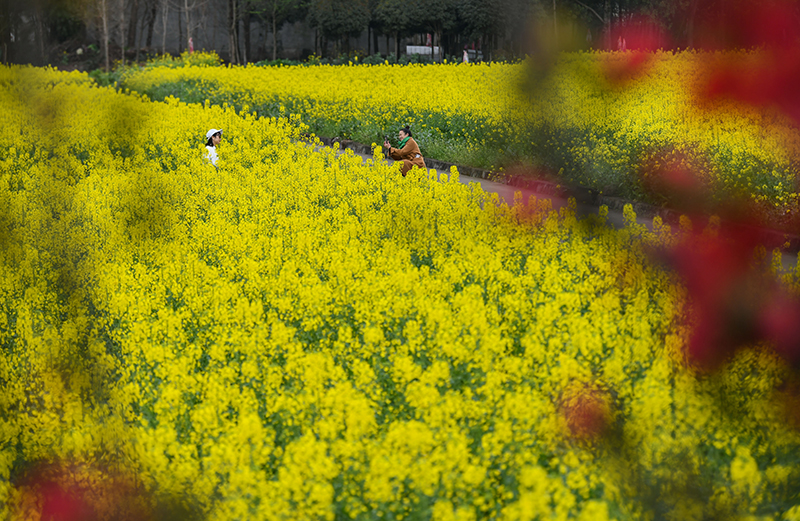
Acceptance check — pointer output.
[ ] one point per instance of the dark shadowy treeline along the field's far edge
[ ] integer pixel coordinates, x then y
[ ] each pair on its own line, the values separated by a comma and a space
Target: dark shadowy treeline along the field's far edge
43, 31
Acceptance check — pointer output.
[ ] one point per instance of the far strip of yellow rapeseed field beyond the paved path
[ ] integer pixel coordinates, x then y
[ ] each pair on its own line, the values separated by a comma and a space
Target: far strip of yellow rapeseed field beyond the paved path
570, 119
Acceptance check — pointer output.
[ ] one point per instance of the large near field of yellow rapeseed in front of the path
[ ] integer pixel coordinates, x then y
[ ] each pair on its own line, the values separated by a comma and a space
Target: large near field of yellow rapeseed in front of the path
302, 335
